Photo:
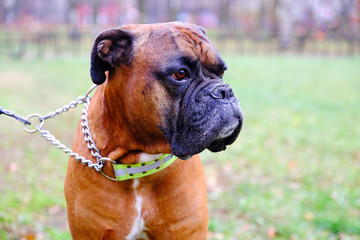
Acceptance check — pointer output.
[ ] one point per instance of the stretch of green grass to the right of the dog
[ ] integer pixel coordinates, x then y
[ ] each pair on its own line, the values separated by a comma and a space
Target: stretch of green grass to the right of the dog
296, 165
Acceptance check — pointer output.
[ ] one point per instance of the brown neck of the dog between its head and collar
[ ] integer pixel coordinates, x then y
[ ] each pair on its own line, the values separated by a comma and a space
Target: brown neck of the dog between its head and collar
114, 135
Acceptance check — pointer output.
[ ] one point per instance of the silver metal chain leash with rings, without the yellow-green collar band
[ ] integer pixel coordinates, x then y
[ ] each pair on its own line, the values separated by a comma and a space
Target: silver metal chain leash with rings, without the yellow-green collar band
51, 138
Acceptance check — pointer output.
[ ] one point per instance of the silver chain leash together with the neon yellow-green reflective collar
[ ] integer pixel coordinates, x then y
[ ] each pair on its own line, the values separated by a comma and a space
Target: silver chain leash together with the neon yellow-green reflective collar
120, 173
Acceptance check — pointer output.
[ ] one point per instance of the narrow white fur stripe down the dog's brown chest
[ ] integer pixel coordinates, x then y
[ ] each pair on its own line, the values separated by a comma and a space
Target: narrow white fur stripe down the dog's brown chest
138, 226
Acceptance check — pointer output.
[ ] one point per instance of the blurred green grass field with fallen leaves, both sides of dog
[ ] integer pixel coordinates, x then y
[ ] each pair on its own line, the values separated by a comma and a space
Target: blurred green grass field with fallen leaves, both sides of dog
294, 172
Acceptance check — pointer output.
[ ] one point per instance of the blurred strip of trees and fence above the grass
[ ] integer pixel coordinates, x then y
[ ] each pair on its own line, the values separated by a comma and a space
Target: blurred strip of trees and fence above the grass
329, 27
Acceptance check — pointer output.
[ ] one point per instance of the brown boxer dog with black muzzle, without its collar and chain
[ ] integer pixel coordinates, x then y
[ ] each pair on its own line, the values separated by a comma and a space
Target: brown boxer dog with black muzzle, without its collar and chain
160, 91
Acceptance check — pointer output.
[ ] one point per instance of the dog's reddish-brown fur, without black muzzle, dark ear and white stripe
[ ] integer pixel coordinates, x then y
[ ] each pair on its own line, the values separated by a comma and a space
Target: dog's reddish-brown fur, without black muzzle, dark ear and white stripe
124, 115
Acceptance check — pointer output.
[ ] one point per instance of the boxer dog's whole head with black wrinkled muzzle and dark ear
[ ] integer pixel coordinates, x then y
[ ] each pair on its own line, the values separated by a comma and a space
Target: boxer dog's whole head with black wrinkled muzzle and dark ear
173, 73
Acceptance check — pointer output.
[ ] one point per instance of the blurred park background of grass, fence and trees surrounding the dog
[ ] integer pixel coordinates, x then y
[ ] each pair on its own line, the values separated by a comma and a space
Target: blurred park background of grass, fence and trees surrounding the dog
293, 173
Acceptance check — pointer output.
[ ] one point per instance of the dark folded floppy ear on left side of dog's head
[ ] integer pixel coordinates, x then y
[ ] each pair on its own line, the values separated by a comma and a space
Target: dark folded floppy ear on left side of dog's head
111, 48
